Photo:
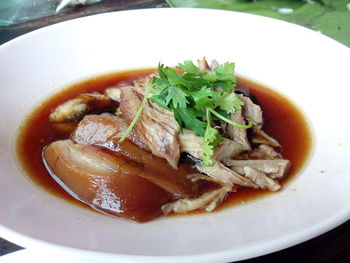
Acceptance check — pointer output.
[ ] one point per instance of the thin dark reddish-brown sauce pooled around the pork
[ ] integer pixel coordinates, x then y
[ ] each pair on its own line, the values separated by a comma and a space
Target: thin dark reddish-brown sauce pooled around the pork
283, 121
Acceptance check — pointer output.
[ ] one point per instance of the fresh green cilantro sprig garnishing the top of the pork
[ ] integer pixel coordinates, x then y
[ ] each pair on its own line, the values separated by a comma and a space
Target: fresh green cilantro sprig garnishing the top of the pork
198, 98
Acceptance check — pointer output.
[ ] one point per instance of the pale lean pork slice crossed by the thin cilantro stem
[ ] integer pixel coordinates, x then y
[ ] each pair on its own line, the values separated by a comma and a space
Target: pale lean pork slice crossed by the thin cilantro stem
156, 125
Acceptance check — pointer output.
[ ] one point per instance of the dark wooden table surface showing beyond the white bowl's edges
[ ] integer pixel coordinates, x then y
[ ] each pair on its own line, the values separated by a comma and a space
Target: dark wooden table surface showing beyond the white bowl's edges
333, 246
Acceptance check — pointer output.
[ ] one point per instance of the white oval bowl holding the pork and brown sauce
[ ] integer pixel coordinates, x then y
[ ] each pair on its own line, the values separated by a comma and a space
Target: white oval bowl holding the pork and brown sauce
309, 68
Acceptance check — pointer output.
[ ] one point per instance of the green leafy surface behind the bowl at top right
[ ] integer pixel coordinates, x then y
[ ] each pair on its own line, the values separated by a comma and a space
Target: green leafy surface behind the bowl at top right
330, 17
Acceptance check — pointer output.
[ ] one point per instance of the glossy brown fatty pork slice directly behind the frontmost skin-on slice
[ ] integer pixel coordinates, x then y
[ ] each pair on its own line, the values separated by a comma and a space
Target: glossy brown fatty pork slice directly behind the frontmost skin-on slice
105, 130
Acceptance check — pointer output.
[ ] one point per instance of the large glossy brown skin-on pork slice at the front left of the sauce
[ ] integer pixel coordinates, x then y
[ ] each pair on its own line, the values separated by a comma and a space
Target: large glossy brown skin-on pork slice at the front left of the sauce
105, 182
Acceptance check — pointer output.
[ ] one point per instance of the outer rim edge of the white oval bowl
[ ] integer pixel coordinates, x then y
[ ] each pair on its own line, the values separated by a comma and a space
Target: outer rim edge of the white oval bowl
250, 252
